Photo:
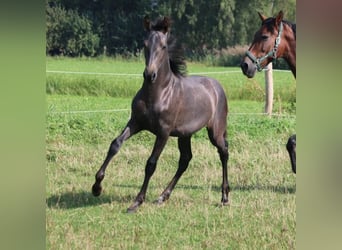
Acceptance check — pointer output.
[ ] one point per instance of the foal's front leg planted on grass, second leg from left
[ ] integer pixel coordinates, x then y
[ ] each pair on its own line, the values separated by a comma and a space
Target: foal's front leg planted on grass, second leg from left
149, 170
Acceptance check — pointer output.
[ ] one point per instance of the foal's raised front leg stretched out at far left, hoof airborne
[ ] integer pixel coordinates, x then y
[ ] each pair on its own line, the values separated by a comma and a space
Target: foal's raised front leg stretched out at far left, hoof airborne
129, 130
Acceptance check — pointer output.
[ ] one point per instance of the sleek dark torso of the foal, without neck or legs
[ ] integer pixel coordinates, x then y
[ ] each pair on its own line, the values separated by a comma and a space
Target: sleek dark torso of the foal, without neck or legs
183, 115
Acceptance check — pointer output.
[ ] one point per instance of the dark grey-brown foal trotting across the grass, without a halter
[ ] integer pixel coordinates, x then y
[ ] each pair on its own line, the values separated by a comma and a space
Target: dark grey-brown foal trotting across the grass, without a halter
172, 104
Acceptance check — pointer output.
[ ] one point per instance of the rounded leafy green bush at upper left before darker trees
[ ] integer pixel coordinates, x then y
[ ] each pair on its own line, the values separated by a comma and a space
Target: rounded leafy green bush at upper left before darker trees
69, 33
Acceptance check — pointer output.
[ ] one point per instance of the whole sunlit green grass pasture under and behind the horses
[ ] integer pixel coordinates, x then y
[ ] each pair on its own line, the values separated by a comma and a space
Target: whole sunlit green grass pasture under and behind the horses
80, 126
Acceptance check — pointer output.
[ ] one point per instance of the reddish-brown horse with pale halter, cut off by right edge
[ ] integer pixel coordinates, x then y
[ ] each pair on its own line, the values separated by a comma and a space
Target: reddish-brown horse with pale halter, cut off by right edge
275, 39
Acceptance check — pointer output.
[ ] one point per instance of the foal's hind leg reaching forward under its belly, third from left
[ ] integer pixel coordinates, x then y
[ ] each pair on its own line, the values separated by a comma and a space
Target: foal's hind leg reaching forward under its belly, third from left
184, 145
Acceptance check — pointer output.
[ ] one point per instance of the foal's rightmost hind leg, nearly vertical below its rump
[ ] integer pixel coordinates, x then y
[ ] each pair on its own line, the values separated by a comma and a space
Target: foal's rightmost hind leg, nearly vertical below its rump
220, 142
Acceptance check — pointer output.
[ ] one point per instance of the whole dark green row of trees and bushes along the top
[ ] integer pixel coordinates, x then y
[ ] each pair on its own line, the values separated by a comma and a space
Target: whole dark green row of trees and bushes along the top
97, 27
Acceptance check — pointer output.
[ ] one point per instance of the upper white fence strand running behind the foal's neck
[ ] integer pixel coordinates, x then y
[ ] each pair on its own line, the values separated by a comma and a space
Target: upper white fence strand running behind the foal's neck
140, 75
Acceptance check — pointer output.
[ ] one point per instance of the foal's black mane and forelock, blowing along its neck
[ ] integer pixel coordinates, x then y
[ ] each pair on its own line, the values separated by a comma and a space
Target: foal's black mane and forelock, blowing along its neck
175, 49
